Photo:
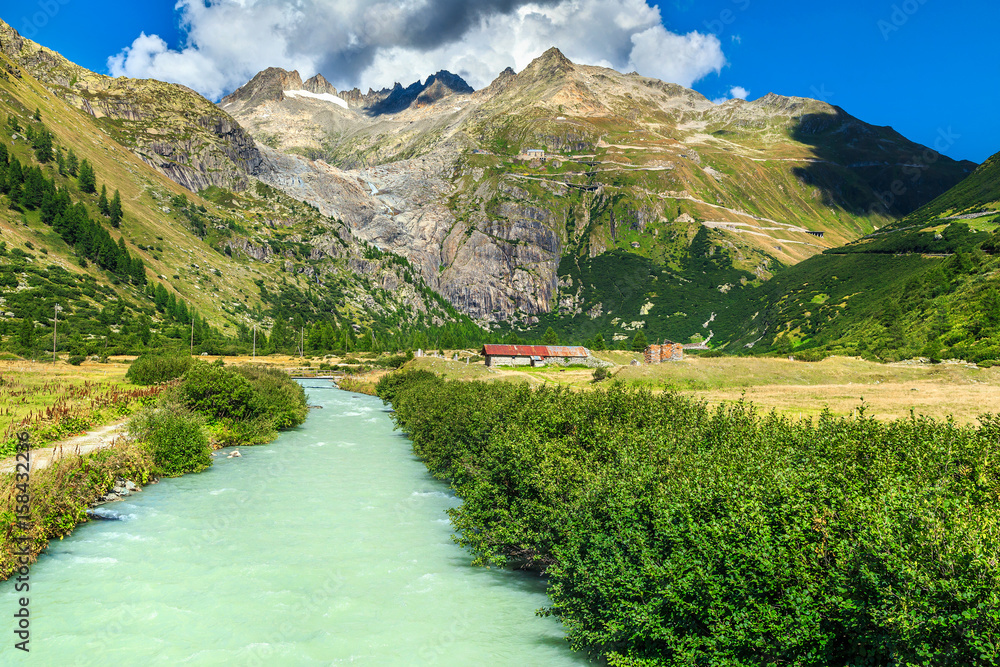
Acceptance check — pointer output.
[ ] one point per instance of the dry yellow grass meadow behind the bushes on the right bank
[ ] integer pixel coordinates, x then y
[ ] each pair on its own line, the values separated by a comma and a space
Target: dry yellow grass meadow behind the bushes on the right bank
796, 388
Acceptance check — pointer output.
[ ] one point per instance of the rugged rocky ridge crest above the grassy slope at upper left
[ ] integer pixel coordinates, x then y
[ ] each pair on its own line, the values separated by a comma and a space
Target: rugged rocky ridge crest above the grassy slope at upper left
171, 127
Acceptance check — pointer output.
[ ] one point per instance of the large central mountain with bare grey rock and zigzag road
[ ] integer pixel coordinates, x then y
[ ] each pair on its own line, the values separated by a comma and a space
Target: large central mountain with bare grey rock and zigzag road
631, 164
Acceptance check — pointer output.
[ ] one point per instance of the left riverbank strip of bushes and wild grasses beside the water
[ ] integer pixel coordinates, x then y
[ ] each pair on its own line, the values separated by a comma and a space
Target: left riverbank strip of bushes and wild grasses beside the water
239, 406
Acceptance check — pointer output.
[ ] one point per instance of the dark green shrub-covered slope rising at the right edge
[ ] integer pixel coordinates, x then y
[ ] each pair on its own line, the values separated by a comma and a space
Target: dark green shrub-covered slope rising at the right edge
926, 285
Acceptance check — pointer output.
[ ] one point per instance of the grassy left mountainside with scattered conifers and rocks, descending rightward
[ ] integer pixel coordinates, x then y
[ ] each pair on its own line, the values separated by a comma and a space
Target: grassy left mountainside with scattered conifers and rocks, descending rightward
238, 260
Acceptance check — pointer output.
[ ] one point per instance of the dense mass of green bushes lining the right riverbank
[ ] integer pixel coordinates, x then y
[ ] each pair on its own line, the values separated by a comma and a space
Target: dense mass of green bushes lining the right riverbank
676, 534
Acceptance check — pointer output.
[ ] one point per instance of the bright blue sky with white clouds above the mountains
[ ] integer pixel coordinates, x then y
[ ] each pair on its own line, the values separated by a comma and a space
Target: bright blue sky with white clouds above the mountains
928, 68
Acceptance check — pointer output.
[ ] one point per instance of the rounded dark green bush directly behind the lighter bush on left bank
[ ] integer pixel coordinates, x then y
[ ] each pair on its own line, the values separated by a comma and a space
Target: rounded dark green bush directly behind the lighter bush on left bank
220, 393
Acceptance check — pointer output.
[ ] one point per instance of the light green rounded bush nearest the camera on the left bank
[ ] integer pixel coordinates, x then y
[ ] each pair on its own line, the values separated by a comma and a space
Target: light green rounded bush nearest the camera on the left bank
175, 438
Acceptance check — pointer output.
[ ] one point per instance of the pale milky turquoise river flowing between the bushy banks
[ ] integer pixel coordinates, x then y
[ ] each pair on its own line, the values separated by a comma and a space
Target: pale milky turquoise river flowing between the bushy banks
329, 546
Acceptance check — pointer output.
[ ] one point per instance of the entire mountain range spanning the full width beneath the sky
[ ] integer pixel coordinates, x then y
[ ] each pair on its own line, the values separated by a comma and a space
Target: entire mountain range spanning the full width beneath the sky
564, 195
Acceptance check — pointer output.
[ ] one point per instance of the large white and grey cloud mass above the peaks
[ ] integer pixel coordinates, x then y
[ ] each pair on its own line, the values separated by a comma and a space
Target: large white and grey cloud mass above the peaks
354, 42
